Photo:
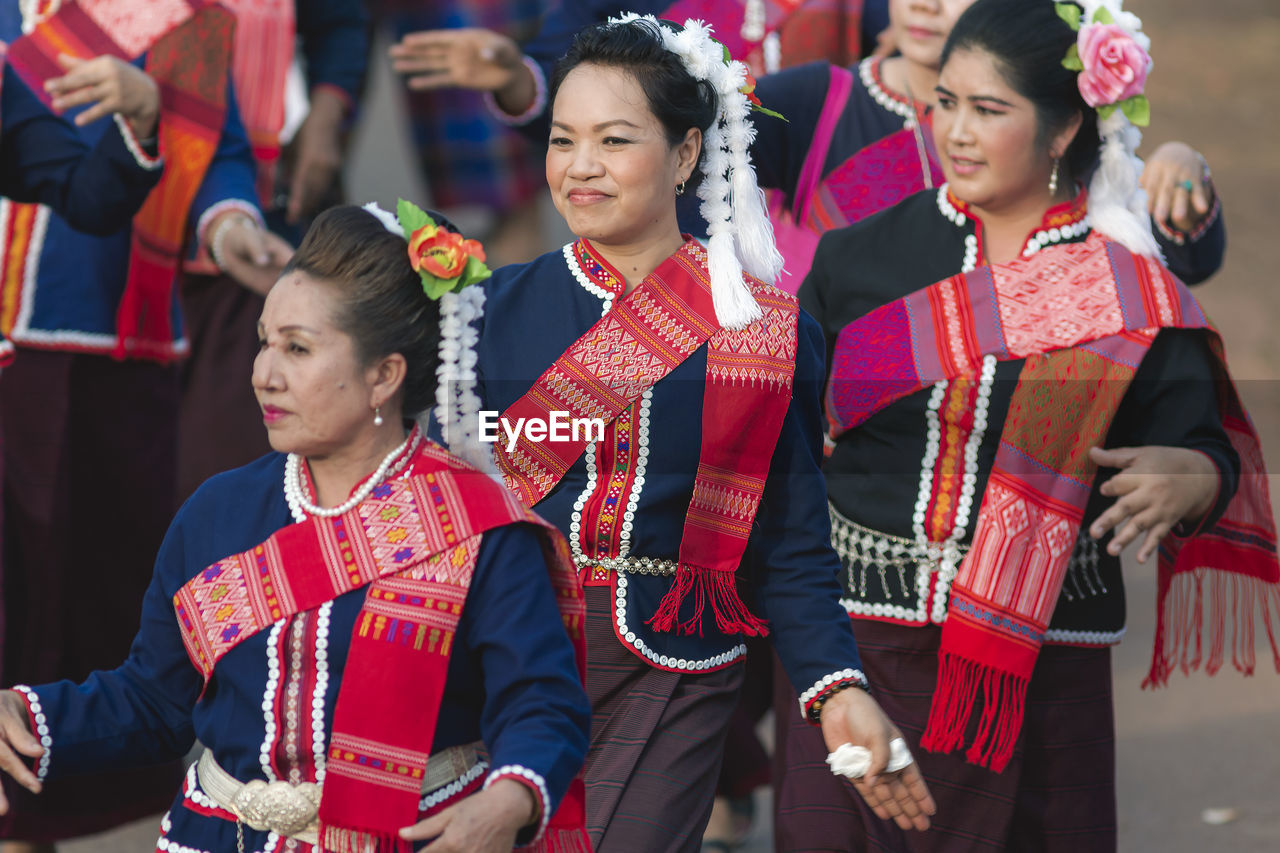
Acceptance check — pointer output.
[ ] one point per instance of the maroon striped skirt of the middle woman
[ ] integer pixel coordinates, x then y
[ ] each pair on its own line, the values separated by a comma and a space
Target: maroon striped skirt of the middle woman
657, 741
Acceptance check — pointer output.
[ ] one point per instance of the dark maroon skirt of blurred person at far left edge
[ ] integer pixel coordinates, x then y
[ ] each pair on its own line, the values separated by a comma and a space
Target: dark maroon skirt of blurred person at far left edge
89, 458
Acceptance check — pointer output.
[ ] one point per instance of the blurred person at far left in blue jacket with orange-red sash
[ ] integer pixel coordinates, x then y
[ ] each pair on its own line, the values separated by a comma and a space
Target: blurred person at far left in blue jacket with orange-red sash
90, 404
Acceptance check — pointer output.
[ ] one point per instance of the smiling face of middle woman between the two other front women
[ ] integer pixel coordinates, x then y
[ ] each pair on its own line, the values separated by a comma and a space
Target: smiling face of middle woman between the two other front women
610, 166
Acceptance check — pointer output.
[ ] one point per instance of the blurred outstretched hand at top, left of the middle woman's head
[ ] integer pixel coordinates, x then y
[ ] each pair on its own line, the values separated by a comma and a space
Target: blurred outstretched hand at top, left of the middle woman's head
472, 58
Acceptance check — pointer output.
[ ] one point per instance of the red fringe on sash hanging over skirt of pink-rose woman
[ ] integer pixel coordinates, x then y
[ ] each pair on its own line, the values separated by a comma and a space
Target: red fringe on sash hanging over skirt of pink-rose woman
1004, 701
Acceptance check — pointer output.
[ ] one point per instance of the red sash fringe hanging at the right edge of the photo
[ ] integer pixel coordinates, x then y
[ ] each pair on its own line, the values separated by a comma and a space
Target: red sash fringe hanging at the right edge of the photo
1181, 623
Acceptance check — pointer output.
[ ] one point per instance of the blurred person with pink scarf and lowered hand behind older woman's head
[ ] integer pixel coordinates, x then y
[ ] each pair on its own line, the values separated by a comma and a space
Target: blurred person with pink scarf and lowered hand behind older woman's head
296, 127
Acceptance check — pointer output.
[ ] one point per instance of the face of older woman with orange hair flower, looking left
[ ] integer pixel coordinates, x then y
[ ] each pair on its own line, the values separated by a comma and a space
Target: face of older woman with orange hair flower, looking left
317, 398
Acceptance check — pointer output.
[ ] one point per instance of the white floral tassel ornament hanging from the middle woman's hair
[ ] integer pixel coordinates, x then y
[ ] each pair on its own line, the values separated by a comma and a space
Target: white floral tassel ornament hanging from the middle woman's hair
738, 222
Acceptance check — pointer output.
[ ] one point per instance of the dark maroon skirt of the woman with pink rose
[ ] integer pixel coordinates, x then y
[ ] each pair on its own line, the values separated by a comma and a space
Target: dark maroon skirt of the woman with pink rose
1057, 796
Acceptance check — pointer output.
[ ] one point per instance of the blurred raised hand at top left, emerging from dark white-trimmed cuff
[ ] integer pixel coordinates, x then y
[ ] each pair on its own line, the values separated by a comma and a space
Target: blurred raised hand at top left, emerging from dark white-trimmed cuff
112, 86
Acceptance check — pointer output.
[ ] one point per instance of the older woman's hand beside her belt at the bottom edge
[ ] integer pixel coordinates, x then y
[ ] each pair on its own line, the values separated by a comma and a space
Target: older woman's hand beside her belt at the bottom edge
484, 823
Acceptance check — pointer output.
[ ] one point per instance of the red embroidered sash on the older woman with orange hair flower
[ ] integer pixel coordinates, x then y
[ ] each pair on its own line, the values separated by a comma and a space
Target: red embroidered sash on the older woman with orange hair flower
414, 545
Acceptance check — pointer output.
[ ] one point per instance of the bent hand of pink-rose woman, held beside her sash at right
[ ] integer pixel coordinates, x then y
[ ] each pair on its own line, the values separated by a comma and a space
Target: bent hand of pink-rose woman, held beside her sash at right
1156, 489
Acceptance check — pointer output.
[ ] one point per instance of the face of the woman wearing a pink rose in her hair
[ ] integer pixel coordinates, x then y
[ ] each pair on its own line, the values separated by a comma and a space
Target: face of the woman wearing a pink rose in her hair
989, 136
